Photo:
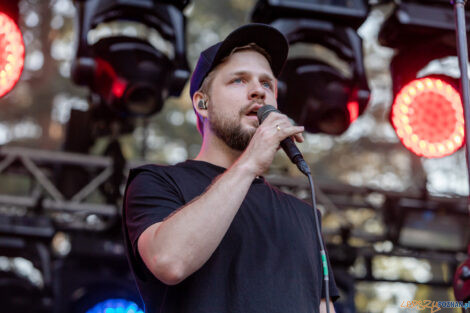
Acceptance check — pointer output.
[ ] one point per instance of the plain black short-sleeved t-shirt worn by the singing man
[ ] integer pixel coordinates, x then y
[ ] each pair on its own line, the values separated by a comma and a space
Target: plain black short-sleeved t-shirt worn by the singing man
268, 261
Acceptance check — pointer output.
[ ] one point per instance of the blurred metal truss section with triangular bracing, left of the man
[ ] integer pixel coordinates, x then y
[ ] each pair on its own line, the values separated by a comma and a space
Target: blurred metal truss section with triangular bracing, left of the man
38, 168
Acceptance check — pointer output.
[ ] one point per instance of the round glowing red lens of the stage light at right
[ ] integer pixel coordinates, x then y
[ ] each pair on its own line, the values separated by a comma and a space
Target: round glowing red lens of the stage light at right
428, 117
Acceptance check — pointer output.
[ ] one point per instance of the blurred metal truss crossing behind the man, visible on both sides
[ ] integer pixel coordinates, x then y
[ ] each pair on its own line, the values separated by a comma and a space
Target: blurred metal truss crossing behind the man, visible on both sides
43, 209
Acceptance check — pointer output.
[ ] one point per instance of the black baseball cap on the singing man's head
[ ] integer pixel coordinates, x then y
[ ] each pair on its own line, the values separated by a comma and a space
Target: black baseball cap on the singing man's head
263, 35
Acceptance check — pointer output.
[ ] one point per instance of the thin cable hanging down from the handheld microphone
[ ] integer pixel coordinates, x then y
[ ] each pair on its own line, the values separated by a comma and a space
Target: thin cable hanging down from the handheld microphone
326, 277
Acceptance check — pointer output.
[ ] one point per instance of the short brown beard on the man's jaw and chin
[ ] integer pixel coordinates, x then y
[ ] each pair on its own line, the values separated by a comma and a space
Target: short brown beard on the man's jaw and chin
229, 131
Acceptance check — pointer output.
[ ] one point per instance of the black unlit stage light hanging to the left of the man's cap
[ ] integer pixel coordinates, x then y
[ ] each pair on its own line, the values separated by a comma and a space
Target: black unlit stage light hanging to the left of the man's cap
129, 74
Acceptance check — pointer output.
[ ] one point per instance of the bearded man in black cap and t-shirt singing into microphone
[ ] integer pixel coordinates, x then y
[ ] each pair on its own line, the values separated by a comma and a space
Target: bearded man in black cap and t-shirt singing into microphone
210, 235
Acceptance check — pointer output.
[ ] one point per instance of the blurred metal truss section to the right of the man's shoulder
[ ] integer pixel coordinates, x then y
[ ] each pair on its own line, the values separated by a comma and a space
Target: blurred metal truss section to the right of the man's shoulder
391, 209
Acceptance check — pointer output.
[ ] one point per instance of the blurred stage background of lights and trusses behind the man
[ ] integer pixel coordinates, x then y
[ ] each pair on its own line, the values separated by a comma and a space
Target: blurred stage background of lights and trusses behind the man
101, 86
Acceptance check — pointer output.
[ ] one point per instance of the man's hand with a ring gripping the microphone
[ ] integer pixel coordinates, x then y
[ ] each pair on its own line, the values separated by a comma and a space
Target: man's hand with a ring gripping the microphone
259, 154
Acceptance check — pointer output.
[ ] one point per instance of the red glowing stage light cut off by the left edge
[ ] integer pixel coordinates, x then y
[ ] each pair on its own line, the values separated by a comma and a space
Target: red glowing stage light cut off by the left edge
11, 54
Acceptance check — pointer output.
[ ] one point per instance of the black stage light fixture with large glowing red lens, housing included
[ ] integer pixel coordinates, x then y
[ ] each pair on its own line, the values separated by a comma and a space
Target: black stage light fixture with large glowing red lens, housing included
427, 111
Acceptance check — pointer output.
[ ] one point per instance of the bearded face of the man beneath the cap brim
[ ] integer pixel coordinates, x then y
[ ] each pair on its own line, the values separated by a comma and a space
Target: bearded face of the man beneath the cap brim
241, 85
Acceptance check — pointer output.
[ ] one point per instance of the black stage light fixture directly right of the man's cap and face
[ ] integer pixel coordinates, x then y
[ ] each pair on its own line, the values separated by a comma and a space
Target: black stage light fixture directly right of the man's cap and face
312, 92
